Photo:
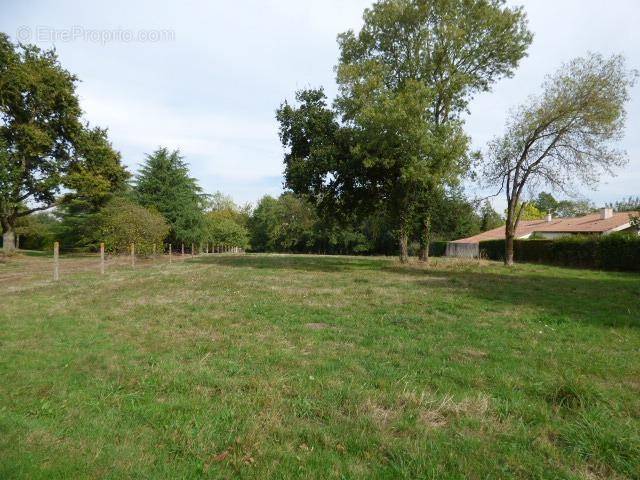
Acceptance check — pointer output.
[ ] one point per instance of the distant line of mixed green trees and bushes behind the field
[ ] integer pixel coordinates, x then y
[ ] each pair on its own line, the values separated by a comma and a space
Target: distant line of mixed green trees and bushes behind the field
164, 205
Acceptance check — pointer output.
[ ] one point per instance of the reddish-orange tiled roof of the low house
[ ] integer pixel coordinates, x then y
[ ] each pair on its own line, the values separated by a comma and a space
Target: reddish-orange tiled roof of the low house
592, 223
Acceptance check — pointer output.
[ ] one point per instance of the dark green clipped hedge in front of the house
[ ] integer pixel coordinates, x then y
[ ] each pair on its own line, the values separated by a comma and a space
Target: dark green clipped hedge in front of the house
618, 251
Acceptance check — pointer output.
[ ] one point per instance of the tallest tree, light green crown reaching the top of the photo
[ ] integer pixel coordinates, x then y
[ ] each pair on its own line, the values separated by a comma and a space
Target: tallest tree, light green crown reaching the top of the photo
406, 77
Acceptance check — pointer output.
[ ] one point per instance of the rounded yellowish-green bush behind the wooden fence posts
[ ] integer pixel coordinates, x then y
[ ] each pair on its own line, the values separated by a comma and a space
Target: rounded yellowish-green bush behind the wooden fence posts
122, 222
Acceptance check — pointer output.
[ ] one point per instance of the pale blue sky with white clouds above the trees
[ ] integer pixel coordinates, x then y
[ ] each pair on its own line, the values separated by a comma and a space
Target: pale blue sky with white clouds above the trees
206, 77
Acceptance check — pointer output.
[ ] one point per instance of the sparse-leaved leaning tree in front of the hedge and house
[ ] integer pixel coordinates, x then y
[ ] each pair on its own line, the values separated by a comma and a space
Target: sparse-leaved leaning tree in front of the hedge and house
564, 136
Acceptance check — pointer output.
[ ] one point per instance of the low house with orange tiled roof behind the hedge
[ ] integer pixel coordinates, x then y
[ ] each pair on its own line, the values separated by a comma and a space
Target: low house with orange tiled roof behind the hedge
604, 222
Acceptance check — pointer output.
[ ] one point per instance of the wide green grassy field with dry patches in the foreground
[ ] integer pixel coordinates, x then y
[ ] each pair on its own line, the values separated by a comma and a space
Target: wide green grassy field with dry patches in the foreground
319, 367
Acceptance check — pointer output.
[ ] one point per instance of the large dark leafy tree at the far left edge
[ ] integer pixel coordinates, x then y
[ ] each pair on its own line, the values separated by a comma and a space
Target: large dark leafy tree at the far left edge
39, 128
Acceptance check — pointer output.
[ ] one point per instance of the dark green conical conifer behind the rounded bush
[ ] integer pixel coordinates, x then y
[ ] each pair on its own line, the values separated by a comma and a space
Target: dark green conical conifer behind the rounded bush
164, 183
